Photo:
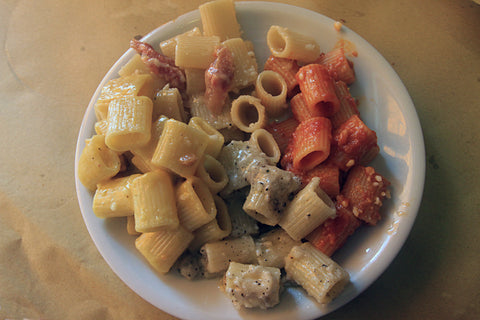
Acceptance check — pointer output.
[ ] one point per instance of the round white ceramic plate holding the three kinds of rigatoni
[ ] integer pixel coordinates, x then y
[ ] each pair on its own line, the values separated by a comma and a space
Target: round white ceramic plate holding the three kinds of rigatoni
385, 106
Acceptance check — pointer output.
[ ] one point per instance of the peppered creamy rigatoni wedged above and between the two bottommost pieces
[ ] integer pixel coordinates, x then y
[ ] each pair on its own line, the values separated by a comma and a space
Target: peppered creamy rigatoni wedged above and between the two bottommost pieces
273, 247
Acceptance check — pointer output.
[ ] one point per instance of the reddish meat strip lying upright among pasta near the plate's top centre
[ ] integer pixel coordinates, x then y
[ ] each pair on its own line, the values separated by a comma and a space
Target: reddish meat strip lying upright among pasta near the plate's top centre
219, 79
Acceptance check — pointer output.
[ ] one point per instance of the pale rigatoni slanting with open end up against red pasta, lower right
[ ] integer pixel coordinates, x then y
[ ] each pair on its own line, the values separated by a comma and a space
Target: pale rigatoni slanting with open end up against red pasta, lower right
308, 209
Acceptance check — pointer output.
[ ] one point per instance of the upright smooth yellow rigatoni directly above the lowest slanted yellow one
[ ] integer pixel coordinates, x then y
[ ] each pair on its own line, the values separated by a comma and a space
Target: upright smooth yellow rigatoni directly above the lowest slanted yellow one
154, 202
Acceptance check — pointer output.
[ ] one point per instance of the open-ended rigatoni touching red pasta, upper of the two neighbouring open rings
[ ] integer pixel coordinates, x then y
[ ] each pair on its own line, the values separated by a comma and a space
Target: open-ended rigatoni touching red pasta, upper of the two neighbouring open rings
271, 89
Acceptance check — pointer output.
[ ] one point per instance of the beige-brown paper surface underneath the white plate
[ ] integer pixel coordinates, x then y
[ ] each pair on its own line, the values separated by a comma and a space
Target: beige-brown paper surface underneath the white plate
54, 54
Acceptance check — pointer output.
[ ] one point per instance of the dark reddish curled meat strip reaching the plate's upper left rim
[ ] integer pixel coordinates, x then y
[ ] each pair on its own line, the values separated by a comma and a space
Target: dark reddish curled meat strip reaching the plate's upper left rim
160, 64
